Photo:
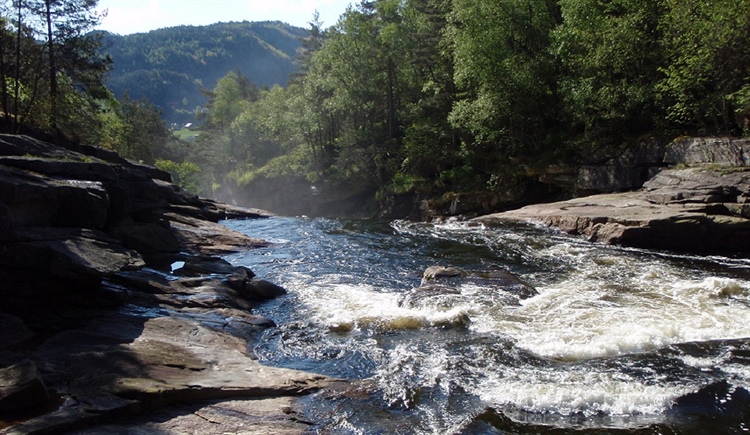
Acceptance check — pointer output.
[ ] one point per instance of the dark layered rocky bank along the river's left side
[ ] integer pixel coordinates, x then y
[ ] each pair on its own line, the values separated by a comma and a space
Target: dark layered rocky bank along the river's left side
113, 303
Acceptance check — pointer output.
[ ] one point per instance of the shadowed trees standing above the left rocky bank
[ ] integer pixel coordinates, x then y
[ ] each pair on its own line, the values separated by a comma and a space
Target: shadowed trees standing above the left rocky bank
52, 83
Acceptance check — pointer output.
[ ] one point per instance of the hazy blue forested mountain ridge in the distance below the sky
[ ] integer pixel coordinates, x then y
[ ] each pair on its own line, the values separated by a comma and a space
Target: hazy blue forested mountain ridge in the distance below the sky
170, 66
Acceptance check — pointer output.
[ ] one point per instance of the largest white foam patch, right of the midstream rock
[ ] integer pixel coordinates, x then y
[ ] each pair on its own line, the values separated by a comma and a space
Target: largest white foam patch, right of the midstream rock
589, 318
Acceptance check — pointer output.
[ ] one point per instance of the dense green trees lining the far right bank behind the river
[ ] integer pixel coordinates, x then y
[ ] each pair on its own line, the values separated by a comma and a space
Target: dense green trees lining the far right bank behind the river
429, 96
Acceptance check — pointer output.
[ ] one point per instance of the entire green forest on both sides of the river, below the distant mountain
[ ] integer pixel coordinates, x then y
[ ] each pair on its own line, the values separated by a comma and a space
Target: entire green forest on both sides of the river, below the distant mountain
404, 99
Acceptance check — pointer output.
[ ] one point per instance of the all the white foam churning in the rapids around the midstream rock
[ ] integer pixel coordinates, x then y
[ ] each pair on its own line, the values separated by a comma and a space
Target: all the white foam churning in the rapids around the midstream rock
585, 316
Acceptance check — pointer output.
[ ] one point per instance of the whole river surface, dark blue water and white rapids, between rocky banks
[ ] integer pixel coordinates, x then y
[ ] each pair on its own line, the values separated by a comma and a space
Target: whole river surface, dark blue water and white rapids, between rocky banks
617, 340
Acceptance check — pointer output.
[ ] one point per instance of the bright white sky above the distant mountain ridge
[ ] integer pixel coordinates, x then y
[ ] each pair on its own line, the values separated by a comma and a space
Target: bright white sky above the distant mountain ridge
135, 16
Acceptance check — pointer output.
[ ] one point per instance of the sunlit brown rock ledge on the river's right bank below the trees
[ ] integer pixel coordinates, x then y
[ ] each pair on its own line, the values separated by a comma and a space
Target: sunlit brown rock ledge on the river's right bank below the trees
701, 203
